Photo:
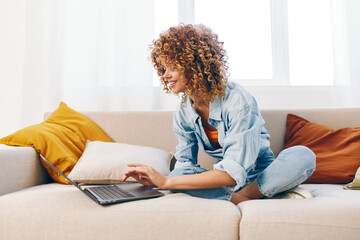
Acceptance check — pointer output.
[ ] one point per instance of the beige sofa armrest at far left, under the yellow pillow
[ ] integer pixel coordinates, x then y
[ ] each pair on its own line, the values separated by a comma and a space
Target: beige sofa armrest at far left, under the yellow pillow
20, 168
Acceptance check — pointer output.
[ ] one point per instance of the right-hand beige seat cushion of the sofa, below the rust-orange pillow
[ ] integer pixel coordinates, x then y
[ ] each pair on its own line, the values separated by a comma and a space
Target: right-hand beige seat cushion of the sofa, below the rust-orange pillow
333, 213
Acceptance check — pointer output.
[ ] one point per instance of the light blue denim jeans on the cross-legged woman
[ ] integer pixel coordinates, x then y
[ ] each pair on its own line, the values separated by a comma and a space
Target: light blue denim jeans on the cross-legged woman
293, 166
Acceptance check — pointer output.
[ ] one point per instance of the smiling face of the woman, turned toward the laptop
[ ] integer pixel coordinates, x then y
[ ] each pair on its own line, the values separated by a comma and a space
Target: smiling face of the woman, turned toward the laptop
175, 80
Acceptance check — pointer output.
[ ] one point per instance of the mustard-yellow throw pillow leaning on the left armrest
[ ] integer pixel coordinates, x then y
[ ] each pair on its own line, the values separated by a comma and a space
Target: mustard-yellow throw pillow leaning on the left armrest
60, 139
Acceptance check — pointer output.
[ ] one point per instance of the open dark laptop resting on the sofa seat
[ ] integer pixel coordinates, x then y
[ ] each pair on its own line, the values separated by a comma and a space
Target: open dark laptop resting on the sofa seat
112, 193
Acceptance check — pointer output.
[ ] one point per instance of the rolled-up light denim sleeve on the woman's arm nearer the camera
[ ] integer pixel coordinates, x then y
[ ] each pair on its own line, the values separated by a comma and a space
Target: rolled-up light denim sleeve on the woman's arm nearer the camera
241, 145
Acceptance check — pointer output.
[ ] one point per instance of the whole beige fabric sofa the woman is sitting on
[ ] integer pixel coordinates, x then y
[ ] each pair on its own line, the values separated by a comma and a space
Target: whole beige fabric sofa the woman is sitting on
32, 206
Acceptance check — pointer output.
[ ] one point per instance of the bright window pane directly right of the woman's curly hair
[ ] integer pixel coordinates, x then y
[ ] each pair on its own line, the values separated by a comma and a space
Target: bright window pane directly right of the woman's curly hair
245, 28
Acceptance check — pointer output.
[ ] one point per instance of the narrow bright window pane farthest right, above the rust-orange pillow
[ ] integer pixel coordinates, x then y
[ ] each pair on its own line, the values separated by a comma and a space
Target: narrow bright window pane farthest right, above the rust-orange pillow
310, 42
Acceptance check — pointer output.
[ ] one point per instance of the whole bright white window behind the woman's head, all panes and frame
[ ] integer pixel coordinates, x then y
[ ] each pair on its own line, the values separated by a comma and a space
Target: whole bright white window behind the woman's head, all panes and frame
269, 42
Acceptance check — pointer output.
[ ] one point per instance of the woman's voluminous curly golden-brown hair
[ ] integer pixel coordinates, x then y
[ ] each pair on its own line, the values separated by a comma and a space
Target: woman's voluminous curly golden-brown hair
198, 55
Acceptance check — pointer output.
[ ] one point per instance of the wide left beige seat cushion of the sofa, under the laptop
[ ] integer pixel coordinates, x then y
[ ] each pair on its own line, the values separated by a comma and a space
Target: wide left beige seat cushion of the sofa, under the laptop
55, 211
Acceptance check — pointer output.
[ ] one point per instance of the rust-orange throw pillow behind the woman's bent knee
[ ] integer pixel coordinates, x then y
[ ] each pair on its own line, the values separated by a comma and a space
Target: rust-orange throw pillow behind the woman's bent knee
337, 151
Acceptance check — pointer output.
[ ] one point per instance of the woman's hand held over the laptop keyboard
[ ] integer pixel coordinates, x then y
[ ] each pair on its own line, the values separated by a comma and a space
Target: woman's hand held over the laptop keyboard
146, 175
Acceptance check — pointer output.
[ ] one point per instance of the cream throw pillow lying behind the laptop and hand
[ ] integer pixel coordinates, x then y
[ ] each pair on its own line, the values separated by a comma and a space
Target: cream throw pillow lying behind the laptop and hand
106, 163
